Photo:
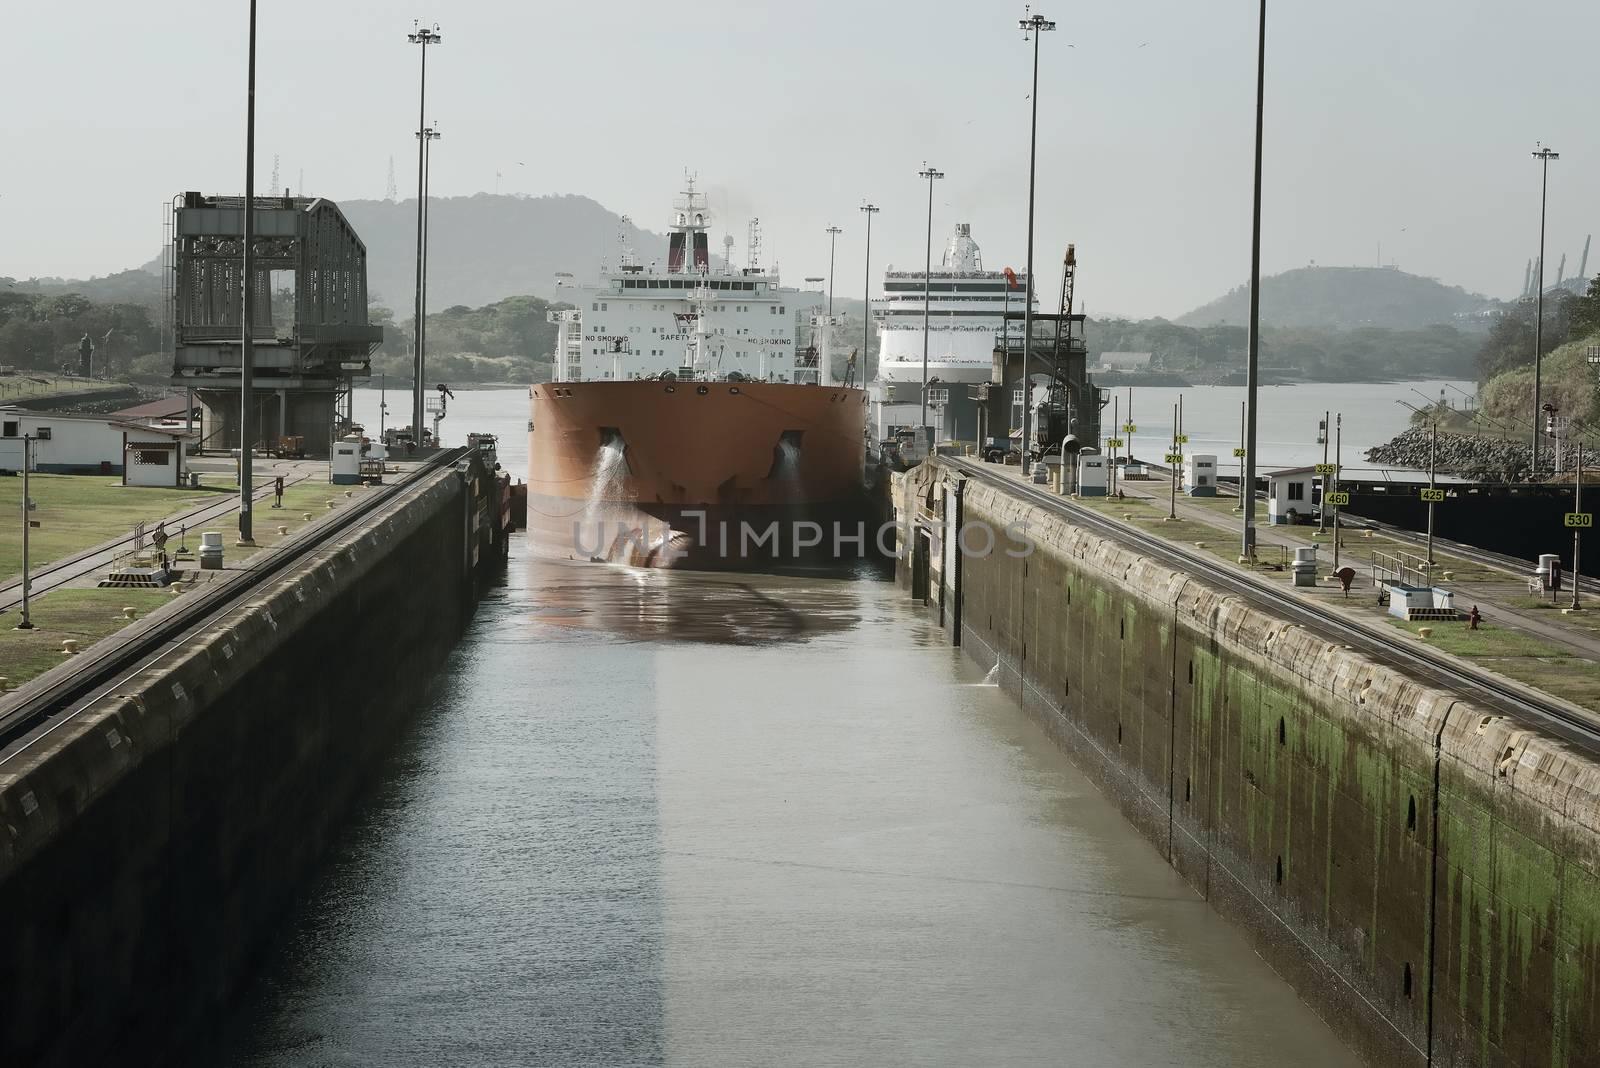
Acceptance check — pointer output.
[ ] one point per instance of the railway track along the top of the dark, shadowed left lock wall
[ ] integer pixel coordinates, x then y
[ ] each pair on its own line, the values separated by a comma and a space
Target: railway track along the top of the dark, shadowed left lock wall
134, 650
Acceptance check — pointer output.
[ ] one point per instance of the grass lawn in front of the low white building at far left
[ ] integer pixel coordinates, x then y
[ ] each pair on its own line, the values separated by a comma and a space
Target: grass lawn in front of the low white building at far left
82, 511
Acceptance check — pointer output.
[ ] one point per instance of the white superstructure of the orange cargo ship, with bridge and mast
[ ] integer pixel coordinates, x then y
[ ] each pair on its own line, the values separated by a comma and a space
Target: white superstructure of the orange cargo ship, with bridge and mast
684, 319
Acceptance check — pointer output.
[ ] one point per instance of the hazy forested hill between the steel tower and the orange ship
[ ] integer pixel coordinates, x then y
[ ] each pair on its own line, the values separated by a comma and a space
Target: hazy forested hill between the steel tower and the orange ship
486, 249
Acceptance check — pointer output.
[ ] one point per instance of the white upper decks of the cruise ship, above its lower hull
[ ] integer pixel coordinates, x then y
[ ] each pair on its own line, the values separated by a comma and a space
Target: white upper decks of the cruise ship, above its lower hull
966, 316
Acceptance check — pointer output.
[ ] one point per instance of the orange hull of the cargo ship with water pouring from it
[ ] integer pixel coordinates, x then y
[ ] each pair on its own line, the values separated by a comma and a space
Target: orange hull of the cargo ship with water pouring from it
663, 474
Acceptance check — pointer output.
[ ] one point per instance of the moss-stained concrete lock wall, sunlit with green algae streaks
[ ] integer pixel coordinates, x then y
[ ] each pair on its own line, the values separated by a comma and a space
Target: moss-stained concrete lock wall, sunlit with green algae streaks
1422, 871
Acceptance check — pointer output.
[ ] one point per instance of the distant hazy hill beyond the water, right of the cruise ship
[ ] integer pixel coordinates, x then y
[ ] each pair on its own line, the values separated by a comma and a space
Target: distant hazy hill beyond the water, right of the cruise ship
1343, 298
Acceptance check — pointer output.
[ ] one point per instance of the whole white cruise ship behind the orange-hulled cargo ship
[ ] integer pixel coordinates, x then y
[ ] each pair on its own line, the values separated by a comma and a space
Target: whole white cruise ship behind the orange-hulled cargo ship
966, 314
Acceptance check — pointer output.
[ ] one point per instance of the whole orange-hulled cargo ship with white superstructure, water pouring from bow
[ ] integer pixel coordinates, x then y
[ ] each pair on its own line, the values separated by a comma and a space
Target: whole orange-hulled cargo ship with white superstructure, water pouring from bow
686, 426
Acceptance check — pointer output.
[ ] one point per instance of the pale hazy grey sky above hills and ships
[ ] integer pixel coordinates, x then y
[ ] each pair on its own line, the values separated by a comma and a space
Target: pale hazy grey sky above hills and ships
1399, 124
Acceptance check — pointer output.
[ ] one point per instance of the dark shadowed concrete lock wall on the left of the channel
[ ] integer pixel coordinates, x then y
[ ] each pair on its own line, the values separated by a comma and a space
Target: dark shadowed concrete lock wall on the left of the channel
150, 845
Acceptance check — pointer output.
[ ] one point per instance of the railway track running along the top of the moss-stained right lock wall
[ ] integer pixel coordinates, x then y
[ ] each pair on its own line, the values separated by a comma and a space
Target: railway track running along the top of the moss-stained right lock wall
1420, 663
